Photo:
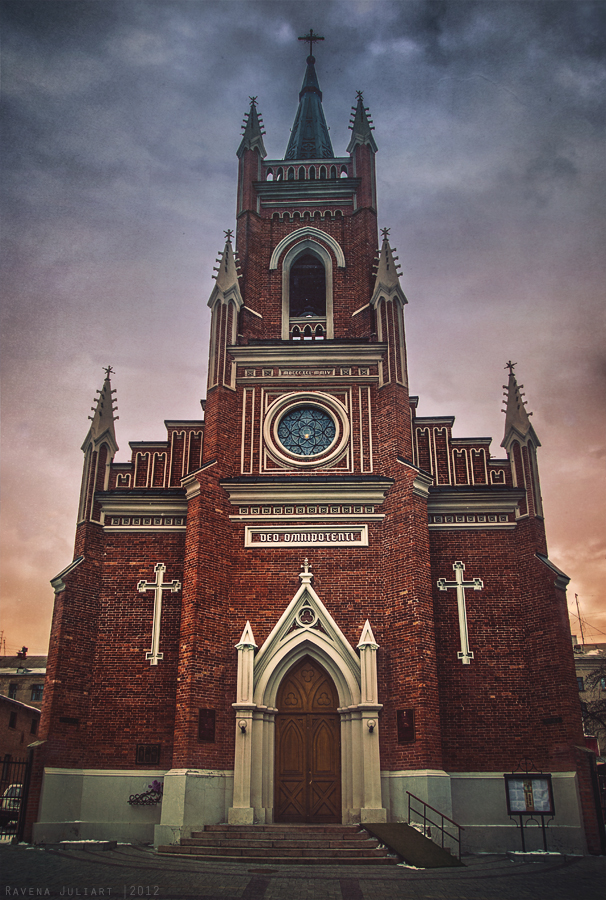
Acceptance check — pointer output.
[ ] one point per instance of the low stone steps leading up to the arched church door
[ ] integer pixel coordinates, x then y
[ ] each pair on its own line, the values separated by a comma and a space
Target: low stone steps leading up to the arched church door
293, 844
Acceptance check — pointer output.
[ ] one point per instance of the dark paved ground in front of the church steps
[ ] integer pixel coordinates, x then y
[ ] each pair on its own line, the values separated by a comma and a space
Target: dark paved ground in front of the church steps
131, 871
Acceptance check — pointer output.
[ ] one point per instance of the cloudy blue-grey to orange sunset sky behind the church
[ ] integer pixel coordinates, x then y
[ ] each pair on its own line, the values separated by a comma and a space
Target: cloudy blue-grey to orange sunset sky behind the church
120, 126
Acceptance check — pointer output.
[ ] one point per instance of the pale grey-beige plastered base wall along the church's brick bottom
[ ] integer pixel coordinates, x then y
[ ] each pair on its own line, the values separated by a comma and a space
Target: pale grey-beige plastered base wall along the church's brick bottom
89, 804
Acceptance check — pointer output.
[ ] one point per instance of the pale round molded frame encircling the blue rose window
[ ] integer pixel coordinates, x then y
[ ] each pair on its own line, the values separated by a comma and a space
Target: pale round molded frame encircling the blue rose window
286, 404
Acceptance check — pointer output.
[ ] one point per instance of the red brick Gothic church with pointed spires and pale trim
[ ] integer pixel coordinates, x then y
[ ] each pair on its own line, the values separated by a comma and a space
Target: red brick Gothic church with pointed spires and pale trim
315, 599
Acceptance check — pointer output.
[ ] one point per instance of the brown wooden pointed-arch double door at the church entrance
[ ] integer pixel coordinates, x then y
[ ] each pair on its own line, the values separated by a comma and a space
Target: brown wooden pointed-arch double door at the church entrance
308, 747
